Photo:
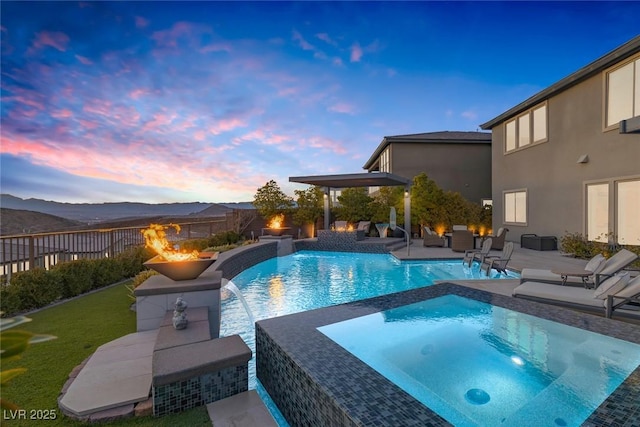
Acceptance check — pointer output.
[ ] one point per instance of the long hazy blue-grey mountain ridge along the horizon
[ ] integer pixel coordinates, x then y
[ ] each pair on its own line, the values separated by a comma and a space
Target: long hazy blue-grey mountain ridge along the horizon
98, 212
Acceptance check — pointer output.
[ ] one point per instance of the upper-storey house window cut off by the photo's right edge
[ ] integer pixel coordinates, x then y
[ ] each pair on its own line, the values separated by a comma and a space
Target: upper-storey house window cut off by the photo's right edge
623, 93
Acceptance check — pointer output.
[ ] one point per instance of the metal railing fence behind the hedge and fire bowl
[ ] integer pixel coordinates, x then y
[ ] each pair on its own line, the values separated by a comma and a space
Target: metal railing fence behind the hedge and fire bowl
25, 251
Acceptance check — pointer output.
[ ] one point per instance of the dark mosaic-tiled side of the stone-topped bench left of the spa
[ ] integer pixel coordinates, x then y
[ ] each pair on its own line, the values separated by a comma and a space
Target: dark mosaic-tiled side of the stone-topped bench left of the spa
206, 388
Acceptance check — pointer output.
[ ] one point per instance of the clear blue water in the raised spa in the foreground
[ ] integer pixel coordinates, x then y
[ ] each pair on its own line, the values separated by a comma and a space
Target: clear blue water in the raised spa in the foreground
478, 364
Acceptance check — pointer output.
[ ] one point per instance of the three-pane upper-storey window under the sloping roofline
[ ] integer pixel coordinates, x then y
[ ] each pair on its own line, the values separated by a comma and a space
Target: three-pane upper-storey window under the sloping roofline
528, 128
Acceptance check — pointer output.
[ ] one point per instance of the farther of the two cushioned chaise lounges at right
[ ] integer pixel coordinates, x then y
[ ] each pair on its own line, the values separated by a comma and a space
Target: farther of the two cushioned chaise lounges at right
600, 266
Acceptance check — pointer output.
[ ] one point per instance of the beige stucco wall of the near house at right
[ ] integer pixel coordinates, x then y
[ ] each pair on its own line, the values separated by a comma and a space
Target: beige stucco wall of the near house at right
550, 172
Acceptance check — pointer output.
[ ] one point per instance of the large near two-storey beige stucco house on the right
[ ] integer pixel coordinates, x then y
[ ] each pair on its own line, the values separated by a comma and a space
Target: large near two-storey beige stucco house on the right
568, 159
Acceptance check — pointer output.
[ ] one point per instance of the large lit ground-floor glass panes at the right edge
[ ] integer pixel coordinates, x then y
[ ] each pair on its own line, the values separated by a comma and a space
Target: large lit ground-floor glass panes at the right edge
620, 196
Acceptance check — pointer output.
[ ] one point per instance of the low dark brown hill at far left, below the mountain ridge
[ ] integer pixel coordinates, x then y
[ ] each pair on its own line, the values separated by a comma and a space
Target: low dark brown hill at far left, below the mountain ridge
14, 221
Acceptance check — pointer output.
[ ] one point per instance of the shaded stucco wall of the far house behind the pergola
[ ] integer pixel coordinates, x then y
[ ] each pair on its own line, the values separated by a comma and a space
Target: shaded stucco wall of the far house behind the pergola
465, 168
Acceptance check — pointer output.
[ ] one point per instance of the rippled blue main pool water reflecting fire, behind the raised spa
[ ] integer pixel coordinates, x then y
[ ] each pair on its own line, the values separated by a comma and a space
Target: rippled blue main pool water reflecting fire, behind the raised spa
307, 280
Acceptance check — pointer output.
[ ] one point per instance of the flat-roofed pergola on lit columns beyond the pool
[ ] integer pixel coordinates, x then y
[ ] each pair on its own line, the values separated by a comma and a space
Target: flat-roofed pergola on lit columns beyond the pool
373, 179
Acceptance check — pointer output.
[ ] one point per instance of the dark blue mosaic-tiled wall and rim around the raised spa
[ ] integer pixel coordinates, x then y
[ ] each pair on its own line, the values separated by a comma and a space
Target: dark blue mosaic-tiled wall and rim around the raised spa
314, 380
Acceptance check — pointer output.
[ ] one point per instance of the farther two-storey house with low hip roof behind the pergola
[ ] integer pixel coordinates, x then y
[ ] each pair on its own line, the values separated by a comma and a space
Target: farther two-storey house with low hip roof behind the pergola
456, 161
